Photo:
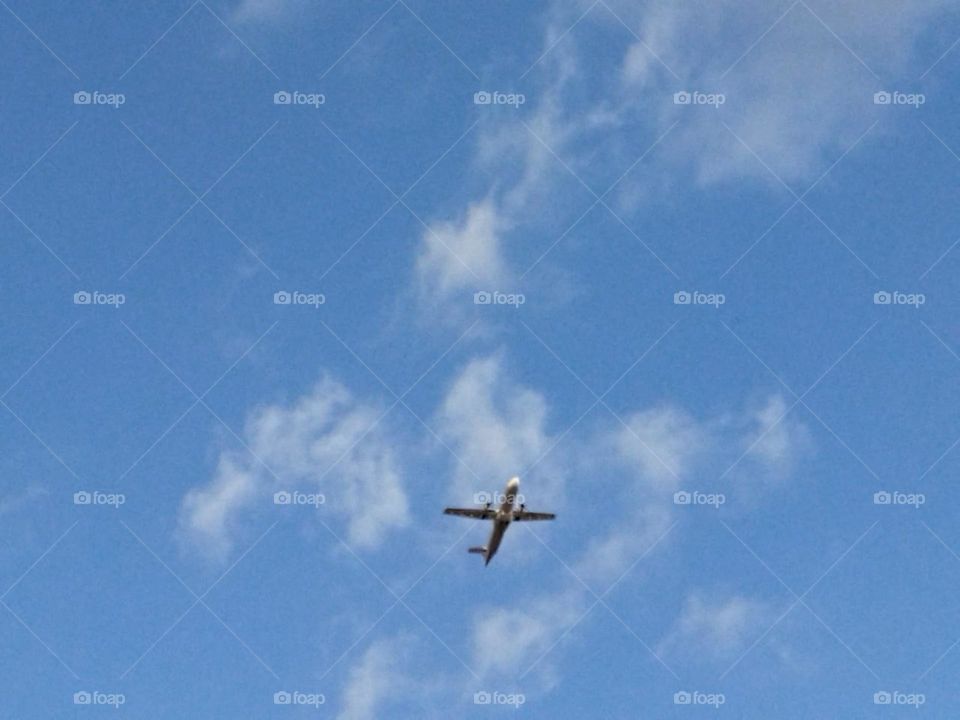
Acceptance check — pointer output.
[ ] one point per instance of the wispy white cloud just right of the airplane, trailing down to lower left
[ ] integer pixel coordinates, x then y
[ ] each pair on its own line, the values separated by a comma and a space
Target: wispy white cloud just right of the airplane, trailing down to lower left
640, 508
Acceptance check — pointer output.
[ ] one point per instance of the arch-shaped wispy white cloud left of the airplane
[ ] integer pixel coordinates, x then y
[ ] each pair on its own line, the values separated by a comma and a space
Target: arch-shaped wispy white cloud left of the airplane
298, 444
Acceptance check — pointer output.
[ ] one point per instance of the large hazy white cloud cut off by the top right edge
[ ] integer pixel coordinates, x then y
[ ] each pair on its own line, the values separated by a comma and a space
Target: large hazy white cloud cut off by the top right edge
798, 99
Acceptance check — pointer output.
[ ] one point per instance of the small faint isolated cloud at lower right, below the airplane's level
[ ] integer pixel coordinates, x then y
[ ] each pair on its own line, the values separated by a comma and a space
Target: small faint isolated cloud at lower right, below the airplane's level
717, 628
